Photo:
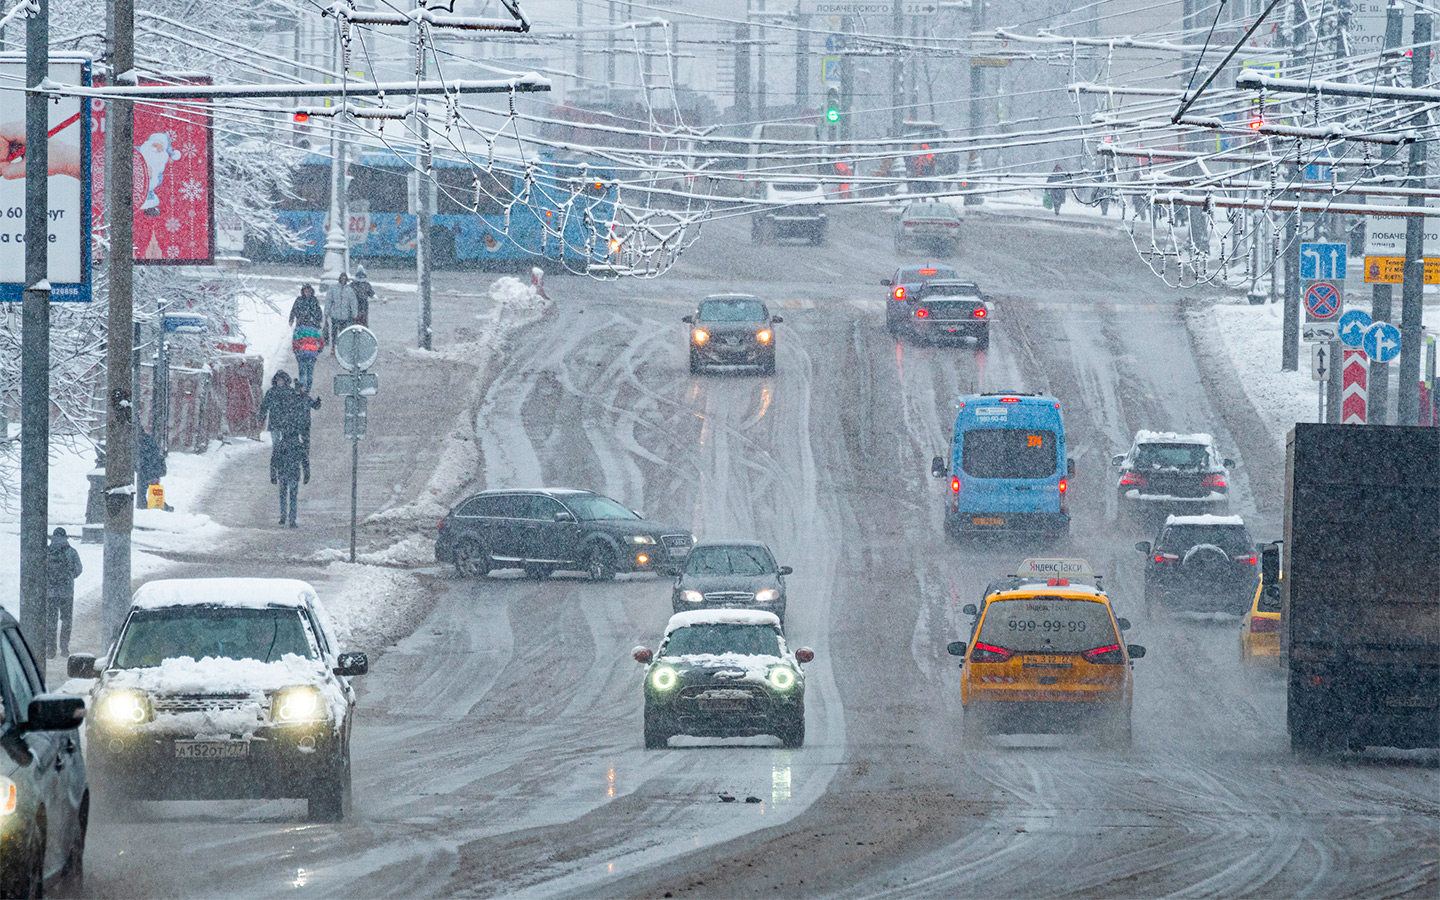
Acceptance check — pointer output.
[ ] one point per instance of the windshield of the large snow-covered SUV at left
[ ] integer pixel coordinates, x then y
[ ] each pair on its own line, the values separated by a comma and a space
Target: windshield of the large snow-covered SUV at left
155, 636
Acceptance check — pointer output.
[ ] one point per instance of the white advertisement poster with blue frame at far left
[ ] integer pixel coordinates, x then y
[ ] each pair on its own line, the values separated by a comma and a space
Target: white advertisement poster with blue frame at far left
68, 185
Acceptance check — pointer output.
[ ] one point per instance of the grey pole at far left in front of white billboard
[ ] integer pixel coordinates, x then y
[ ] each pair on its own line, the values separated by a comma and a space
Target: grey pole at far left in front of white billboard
35, 338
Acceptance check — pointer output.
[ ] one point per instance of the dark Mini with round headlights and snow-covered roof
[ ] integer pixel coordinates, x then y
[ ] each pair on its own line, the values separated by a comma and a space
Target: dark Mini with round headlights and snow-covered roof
724, 673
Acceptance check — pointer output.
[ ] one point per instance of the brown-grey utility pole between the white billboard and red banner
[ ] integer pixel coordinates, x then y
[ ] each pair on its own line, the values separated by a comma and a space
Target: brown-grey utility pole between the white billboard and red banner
122, 358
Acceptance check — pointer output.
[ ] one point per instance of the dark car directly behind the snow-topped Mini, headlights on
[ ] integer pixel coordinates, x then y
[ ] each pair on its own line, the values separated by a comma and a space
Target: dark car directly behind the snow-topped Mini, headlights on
738, 575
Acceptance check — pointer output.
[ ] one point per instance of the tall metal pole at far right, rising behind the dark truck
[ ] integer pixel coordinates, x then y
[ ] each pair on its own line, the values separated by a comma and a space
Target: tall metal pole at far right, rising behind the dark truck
1412, 293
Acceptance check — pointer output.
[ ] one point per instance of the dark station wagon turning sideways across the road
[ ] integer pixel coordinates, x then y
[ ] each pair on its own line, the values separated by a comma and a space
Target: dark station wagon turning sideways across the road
542, 531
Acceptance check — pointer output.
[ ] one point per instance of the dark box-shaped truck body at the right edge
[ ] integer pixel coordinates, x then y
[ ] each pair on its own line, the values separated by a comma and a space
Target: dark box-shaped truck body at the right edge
1362, 588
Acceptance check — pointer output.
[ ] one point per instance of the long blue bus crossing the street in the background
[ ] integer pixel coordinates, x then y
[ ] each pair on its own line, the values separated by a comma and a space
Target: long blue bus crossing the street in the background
492, 218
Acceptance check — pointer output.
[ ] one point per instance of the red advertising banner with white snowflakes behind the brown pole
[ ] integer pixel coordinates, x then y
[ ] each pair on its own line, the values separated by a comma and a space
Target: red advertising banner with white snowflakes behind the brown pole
174, 179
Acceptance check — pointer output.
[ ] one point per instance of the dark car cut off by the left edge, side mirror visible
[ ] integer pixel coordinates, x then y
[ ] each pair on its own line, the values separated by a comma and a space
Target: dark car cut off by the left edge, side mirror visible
44, 791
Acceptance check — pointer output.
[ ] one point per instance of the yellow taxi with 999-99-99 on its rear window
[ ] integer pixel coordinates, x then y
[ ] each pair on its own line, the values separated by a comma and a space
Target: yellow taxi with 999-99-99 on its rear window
1046, 656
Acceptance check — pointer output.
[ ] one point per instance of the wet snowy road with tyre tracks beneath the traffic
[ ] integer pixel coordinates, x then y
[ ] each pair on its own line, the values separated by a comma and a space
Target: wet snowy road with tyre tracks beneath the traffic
499, 747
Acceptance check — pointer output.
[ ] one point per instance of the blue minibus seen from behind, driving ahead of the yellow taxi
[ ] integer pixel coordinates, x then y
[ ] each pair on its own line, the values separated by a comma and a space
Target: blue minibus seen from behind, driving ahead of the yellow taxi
1007, 467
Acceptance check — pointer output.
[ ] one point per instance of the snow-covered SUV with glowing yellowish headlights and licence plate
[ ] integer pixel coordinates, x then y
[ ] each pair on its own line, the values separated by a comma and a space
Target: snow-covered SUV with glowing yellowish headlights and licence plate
224, 689
